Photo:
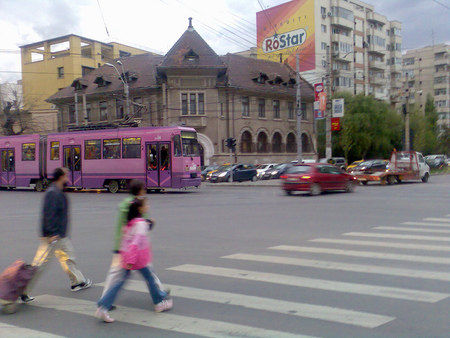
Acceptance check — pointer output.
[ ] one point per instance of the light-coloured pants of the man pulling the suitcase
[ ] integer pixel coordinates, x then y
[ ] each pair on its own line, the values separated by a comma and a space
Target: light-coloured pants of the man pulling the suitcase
63, 250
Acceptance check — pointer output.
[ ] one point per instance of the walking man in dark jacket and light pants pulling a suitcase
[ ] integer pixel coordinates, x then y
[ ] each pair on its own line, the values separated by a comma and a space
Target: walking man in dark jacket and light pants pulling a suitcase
55, 240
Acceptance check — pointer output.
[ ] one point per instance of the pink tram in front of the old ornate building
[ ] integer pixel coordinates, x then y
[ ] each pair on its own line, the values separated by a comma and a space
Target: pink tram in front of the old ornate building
163, 157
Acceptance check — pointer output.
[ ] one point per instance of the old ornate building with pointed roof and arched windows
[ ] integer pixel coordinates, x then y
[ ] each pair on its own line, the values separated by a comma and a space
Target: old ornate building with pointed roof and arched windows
253, 101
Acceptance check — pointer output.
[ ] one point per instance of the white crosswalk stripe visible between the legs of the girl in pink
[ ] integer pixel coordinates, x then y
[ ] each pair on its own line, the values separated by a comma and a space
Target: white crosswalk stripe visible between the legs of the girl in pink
327, 313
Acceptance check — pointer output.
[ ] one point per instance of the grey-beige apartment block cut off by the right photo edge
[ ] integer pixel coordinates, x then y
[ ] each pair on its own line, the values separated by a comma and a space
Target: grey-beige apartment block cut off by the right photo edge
427, 71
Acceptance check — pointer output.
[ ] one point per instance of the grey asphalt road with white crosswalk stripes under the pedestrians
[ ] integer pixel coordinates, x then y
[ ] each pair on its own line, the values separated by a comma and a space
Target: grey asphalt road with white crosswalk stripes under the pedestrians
246, 260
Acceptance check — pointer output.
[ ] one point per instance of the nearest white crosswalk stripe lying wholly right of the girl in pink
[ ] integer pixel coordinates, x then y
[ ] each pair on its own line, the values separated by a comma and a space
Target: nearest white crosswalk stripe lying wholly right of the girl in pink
362, 289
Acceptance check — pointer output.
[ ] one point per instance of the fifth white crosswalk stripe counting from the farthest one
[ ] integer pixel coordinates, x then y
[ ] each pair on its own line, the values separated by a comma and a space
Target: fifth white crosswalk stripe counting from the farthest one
383, 244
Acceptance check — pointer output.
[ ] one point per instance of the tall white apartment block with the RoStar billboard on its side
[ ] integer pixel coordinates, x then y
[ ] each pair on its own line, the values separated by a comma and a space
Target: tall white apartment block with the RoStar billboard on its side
364, 47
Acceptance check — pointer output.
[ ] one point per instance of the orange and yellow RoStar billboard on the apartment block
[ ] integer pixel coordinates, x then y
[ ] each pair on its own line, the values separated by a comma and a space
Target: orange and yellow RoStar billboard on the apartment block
285, 30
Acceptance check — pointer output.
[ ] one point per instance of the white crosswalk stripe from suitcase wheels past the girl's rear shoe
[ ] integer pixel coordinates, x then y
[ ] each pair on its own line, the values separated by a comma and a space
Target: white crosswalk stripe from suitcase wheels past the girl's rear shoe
163, 321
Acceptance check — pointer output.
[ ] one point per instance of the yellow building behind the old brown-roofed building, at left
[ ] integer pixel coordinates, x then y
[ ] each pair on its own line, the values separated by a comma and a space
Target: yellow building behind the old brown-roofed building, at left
48, 66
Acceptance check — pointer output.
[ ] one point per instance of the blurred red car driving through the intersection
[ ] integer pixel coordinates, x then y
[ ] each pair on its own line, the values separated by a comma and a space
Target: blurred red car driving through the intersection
315, 178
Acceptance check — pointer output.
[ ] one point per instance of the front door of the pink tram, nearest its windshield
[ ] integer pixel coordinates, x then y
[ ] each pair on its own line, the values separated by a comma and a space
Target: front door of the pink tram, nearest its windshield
159, 166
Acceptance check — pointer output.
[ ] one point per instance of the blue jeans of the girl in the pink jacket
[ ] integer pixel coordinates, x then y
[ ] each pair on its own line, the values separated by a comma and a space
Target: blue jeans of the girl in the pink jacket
157, 295
